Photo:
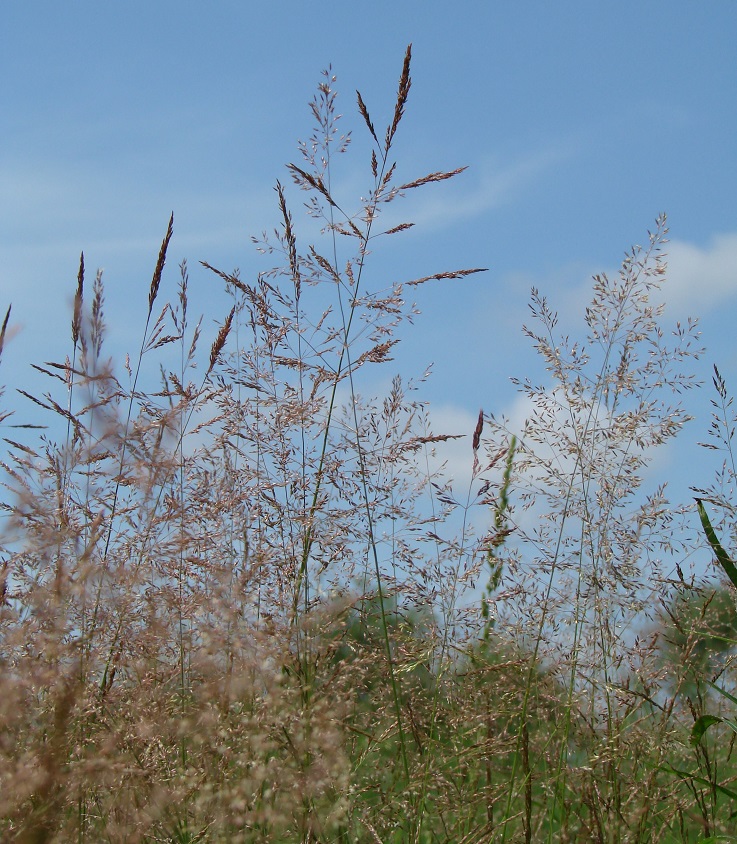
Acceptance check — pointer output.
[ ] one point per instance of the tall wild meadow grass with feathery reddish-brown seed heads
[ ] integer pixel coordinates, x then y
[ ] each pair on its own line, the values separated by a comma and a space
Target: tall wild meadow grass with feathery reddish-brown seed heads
236, 607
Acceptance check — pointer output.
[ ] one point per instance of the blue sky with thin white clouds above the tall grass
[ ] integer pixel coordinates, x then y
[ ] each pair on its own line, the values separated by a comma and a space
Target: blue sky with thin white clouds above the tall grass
580, 122
